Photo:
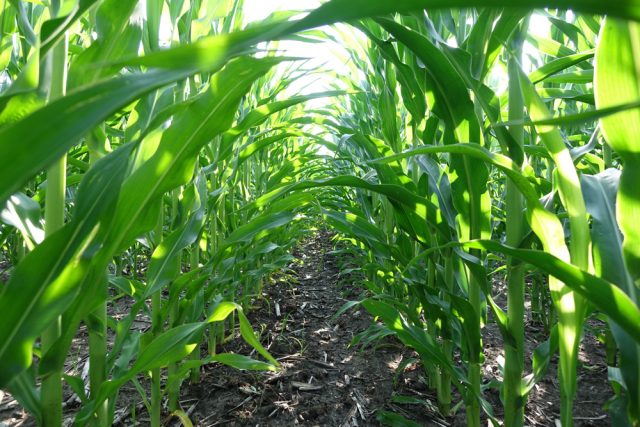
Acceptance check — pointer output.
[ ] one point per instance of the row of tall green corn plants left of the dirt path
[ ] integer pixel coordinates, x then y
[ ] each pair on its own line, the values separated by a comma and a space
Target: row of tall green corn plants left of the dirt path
148, 205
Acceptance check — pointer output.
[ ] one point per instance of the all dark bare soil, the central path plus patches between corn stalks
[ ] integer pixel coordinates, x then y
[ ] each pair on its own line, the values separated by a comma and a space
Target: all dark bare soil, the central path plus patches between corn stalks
324, 381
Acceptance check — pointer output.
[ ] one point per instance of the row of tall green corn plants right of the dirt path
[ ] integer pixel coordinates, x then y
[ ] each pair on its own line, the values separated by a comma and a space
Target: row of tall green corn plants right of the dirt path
556, 161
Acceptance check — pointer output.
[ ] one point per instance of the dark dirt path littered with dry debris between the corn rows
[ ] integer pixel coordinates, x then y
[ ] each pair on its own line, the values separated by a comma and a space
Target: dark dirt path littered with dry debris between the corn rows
323, 382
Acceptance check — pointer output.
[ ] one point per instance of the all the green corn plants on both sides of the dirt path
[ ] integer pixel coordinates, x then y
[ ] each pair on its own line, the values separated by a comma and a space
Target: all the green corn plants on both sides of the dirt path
172, 172
